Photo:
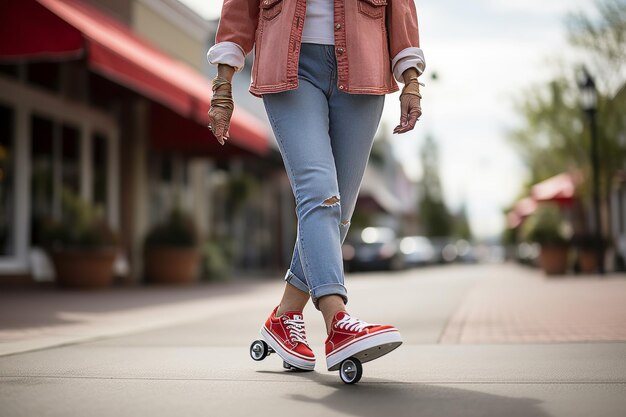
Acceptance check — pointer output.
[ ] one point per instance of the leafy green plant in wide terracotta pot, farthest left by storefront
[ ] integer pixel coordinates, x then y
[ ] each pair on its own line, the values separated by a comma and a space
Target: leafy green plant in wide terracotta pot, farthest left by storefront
80, 244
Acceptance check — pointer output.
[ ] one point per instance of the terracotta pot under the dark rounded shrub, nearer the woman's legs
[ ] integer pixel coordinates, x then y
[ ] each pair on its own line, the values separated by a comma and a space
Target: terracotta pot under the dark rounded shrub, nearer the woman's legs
171, 265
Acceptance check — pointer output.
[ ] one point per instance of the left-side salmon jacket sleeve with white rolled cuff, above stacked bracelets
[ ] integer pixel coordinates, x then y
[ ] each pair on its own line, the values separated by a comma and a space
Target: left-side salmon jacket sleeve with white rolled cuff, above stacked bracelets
235, 33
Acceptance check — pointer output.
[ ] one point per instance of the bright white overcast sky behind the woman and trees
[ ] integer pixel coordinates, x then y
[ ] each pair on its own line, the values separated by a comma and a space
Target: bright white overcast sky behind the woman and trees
485, 53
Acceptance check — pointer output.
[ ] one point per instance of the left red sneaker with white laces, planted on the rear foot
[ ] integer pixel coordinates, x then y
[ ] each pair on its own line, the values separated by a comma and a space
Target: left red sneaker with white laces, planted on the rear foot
286, 335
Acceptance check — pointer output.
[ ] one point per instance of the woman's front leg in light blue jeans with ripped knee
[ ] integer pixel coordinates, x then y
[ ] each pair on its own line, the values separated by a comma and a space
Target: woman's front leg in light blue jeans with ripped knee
300, 121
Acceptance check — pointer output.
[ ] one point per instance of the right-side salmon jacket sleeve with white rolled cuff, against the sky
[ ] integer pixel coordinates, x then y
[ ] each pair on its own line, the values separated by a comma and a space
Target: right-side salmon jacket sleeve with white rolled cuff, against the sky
403, 38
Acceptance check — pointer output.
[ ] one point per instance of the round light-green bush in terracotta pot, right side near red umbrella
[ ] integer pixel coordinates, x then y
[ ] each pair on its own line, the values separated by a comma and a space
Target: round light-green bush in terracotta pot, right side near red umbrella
547, 227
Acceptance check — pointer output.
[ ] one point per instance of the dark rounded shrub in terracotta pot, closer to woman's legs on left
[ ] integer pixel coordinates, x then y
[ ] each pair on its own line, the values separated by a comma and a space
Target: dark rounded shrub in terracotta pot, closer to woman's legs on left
170, 251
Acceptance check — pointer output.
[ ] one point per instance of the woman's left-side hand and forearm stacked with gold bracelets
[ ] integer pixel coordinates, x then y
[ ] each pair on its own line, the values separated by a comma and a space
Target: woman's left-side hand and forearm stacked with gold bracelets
222, 104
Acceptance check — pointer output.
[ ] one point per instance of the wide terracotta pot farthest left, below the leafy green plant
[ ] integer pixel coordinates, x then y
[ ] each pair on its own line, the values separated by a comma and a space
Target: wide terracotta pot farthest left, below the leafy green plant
84, 268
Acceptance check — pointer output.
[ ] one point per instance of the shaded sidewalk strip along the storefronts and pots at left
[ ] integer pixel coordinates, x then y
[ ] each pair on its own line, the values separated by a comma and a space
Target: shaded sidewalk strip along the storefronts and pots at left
36, 318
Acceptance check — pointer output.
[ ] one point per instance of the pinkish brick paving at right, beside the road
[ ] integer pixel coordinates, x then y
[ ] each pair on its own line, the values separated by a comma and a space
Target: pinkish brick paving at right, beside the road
521, 305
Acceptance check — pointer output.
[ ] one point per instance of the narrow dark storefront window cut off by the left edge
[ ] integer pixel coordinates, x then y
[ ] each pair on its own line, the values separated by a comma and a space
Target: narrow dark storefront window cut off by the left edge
7, 188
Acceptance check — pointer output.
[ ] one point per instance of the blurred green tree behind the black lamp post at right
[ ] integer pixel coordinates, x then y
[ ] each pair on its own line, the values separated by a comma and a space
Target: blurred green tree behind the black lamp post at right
555, 135
